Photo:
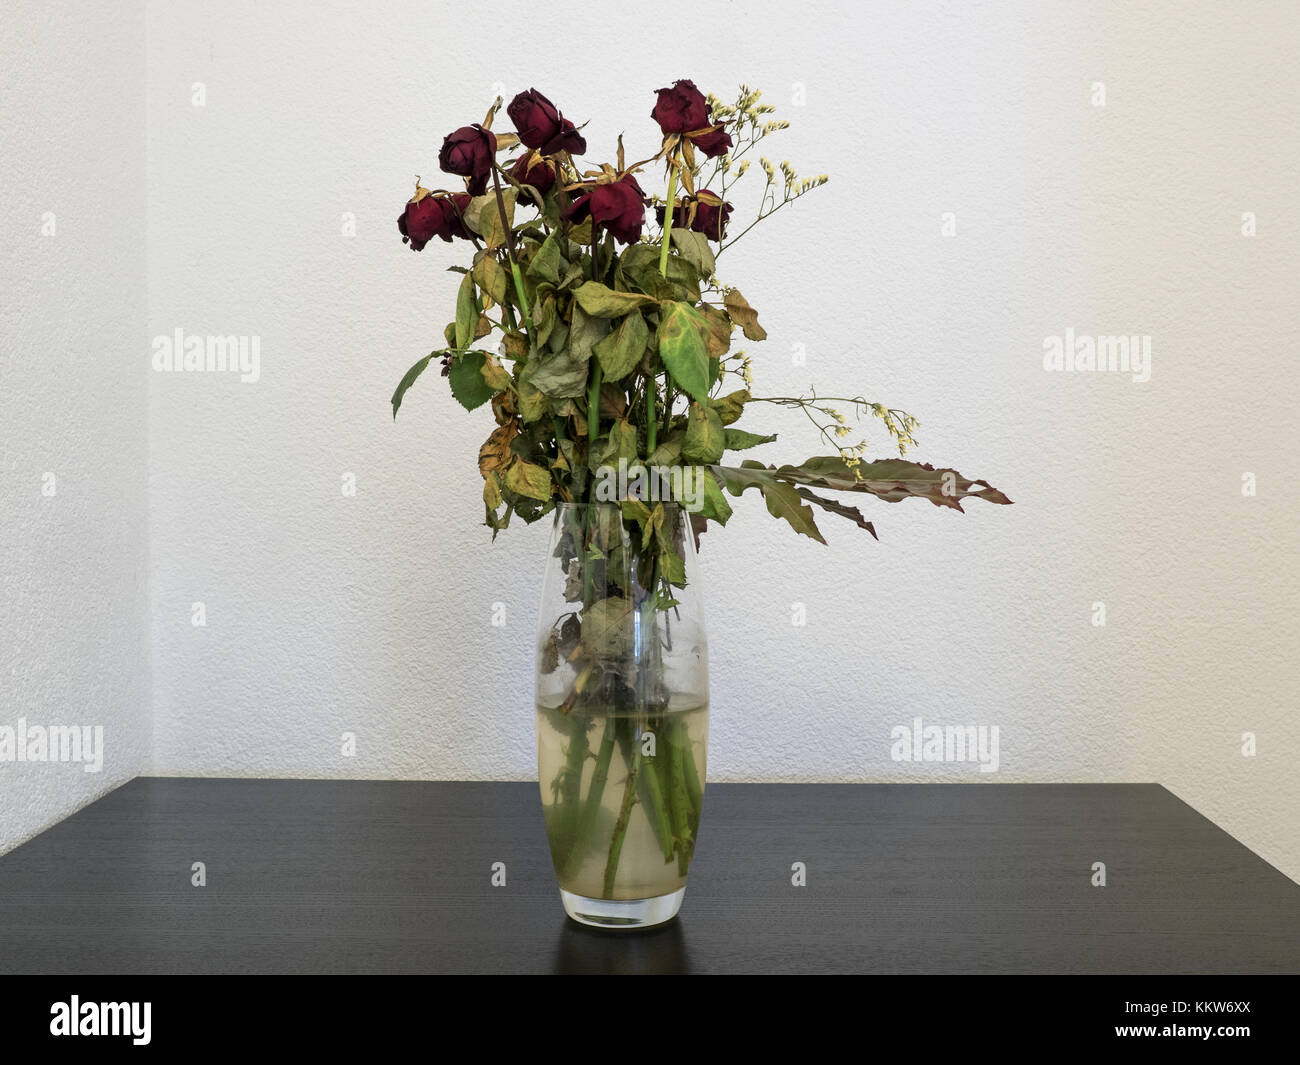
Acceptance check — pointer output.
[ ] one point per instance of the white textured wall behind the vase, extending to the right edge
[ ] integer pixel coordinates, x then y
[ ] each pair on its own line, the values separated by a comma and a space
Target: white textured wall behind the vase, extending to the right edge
372, 613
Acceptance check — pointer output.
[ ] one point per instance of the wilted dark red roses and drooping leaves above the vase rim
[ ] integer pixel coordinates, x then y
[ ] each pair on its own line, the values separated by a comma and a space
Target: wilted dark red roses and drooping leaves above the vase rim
614, 337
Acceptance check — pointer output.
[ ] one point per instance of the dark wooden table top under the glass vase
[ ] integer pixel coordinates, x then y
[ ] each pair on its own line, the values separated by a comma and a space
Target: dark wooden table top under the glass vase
396, 877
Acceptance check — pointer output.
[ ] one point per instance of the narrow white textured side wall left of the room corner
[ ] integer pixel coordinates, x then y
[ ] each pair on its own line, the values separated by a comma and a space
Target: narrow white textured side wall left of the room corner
73, 399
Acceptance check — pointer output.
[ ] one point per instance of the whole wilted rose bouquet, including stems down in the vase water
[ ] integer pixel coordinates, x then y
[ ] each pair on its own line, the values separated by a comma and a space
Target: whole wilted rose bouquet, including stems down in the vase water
592, 319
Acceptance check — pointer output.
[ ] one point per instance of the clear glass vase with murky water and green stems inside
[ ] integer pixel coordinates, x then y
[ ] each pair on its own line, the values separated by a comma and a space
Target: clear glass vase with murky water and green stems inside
622, 709
